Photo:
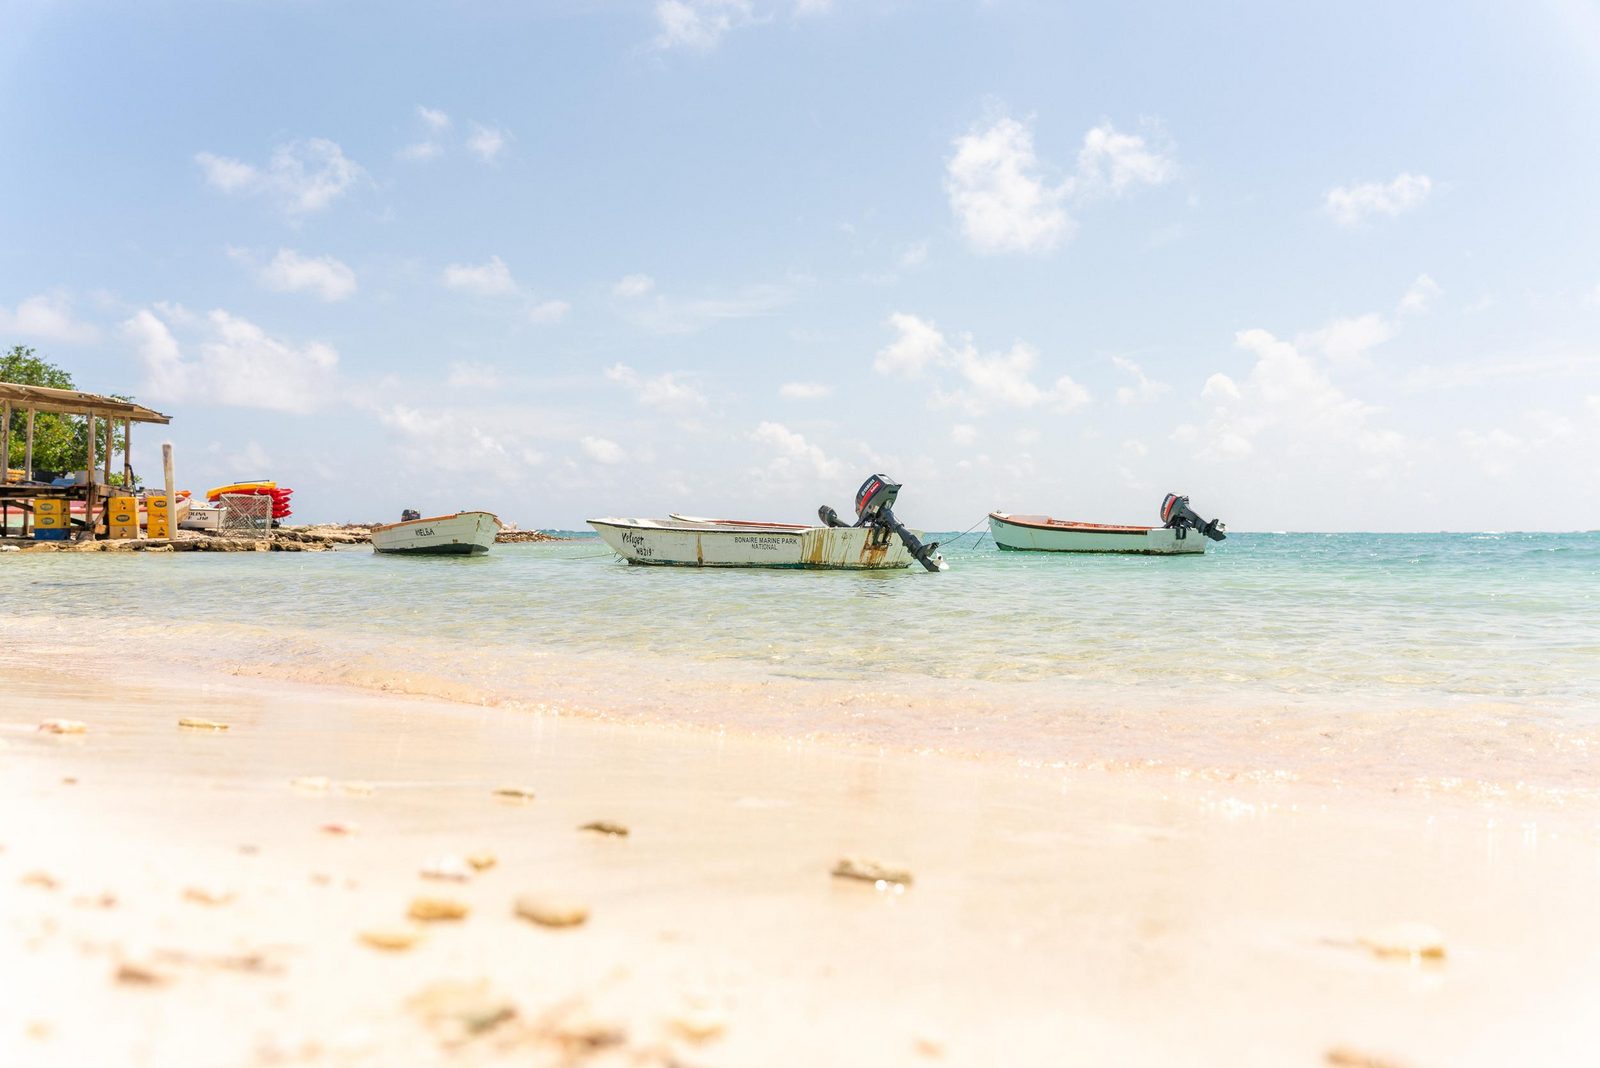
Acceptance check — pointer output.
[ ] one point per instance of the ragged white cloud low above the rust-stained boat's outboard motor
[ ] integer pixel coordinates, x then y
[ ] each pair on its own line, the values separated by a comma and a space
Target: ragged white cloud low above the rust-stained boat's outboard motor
980, 383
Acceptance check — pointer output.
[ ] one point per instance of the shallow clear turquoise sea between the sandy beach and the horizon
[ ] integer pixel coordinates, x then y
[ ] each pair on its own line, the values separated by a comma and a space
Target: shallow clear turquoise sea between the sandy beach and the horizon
1502, 628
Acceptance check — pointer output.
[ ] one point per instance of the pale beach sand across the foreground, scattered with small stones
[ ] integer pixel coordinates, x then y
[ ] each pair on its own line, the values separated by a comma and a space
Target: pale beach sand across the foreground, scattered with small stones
1086, 917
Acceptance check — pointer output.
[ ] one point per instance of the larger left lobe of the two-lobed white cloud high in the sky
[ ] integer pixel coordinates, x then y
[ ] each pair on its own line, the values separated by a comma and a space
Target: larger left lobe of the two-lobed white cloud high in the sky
999, 194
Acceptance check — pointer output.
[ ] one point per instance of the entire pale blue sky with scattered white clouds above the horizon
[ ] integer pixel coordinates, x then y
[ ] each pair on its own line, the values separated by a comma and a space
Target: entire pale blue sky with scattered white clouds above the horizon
1319, 269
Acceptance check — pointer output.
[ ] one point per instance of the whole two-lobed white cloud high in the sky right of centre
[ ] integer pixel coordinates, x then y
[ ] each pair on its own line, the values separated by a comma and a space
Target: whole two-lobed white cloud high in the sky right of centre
1007, 199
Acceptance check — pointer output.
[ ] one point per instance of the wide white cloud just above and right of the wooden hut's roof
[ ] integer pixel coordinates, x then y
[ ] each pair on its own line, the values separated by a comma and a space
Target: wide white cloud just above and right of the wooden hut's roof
238, 365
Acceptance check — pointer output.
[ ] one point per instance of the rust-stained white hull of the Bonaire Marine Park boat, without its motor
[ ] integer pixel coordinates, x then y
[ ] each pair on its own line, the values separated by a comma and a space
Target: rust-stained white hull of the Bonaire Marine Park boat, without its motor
721, 544
